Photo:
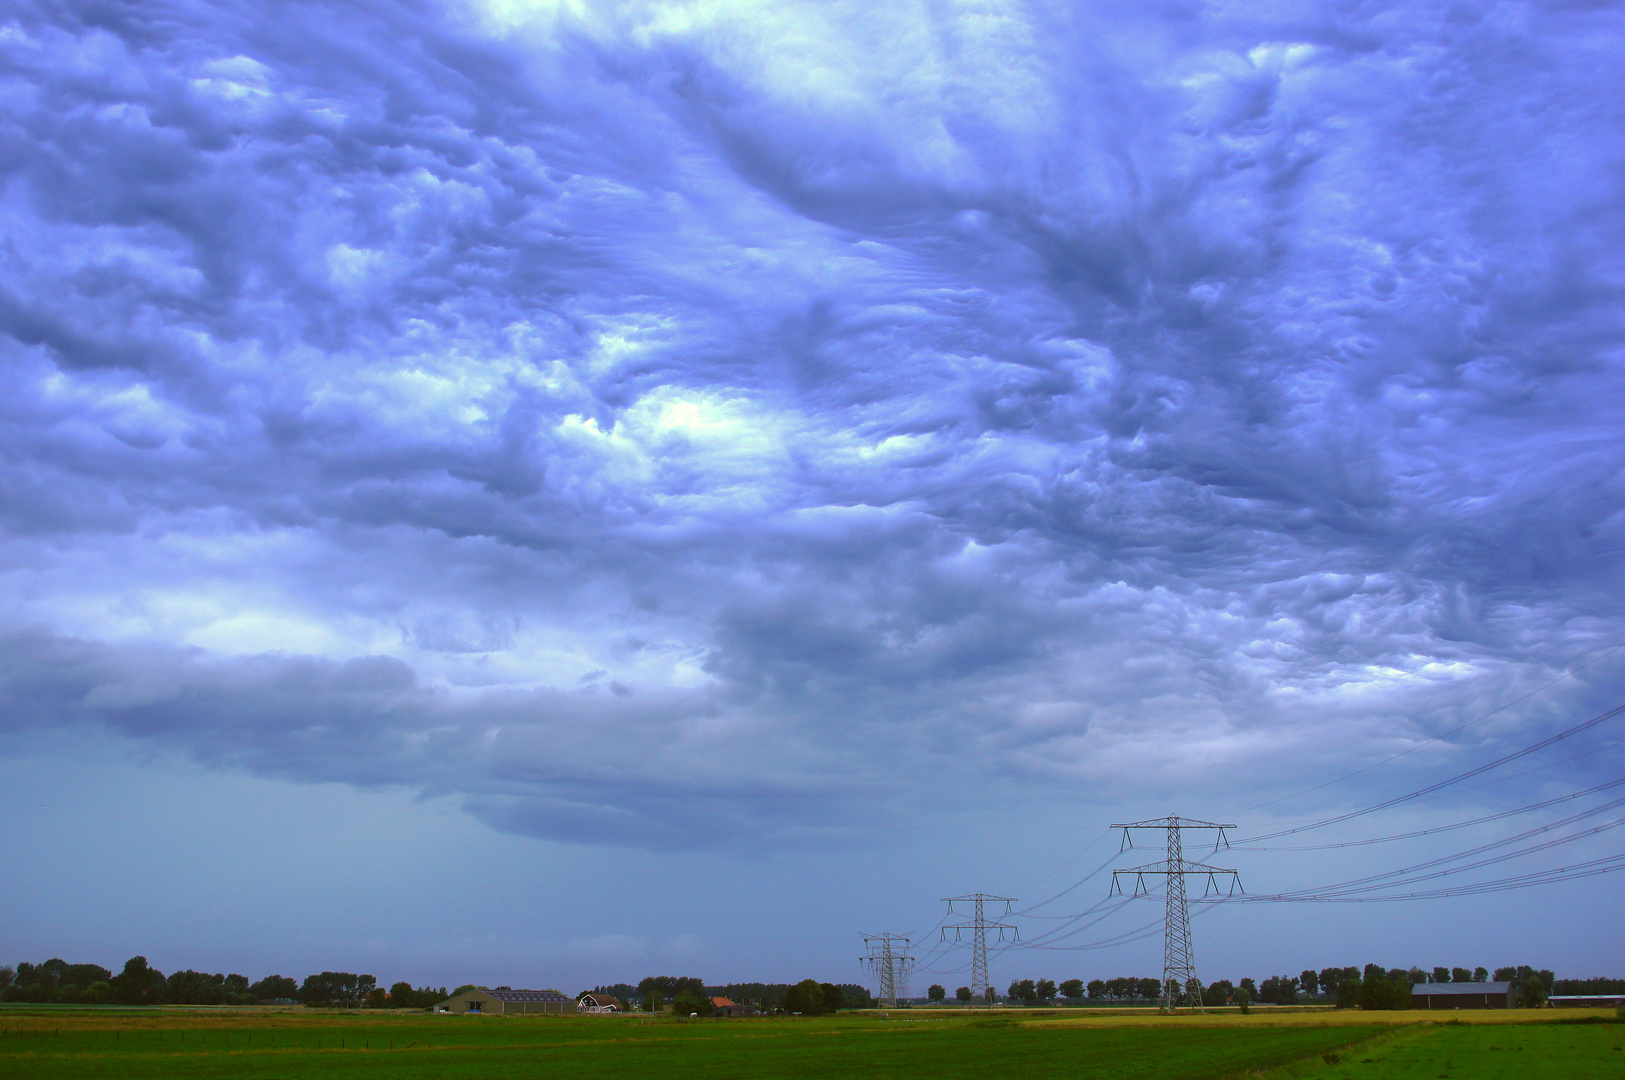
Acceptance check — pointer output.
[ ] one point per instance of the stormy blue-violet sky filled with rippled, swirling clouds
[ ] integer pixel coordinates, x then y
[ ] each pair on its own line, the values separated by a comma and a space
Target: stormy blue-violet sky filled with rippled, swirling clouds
545, 495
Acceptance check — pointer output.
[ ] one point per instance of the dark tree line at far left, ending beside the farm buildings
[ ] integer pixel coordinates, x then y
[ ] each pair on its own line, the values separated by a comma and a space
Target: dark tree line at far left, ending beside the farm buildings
58, 982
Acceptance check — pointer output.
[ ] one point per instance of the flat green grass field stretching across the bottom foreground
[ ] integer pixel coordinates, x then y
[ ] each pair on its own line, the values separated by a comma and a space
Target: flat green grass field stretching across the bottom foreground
248, 1045
